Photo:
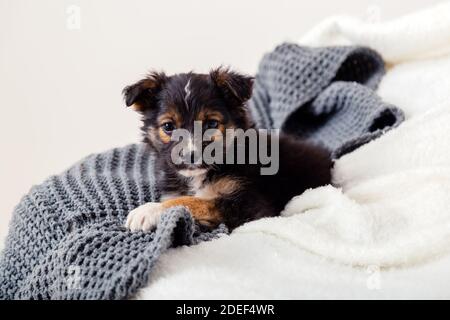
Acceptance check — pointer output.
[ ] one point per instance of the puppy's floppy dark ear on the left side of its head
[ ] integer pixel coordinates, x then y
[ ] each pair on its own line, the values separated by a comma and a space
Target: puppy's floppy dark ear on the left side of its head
143, 94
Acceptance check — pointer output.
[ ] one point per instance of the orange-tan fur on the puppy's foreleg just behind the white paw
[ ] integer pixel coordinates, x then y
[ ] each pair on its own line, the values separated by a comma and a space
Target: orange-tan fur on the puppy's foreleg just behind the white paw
204, 211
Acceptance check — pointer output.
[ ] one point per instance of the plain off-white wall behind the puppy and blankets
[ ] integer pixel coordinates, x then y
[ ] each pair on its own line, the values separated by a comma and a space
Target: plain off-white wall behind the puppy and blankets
60, 88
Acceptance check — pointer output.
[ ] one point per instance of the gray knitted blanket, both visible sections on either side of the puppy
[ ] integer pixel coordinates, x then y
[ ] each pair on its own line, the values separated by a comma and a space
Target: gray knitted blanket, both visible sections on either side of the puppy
66, 238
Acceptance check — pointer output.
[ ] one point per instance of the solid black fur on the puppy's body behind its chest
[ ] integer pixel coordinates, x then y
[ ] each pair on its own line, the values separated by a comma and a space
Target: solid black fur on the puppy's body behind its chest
302, 166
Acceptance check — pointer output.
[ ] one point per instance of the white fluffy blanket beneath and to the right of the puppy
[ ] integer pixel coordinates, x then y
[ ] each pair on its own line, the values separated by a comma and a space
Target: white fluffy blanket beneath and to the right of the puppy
385, 233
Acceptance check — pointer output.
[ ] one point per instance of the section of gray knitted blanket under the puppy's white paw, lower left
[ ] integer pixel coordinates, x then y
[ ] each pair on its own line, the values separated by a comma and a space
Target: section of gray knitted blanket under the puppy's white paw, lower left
67, 239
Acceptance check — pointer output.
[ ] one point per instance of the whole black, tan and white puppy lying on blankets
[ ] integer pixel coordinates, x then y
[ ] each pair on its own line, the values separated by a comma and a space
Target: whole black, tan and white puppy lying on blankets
222, 192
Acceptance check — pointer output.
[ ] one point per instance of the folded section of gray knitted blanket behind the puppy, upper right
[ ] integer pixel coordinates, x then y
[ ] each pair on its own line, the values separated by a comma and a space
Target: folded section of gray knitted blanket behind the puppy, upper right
324, 95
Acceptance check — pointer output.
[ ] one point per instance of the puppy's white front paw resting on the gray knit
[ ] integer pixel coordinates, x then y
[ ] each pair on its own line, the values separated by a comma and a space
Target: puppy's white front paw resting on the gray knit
145, 217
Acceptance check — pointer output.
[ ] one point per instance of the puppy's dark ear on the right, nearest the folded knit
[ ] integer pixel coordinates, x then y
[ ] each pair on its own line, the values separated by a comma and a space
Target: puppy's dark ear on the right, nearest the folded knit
236, 88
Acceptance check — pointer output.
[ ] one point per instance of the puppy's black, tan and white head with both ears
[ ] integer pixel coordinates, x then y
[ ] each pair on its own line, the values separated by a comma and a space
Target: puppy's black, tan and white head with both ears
186, 102
